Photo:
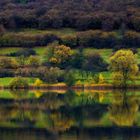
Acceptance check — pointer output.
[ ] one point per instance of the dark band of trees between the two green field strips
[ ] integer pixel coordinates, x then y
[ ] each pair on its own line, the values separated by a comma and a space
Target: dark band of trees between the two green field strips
90, 38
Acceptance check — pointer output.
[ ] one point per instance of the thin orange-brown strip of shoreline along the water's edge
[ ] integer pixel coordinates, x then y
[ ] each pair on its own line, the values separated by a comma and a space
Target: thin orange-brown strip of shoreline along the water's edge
75, 87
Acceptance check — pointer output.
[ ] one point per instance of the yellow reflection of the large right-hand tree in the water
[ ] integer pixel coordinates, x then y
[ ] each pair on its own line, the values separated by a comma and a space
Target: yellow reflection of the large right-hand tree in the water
124, 108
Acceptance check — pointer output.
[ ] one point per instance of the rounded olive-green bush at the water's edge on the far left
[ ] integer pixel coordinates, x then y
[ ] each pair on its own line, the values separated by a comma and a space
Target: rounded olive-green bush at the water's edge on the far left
18, 83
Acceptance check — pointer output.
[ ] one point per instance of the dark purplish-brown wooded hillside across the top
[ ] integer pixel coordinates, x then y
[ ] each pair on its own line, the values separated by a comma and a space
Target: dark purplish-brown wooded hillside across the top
79, 14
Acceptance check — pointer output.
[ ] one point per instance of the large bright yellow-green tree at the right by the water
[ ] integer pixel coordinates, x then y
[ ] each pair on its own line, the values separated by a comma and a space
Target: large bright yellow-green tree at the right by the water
124, 67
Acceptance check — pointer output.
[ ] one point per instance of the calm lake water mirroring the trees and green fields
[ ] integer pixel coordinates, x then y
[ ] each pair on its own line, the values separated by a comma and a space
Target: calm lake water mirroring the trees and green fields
40, 115
